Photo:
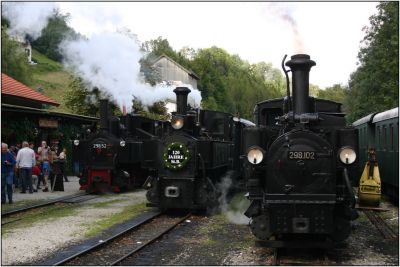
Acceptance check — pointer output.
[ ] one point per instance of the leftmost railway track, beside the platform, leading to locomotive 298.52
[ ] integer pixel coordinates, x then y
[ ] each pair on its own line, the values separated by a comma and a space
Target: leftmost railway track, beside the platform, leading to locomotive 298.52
68, 199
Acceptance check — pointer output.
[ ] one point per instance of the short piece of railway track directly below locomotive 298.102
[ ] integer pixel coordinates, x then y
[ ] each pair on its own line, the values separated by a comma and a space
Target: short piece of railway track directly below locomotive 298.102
301, 257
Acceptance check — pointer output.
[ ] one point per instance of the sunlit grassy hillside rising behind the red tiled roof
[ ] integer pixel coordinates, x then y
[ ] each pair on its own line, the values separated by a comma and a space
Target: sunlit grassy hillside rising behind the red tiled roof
51, 77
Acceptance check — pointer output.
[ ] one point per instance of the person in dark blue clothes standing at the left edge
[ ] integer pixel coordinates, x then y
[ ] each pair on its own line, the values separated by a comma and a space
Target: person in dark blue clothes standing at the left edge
7, 173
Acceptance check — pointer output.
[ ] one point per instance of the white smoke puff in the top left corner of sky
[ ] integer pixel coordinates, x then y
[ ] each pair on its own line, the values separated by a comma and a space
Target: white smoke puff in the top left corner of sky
27, 17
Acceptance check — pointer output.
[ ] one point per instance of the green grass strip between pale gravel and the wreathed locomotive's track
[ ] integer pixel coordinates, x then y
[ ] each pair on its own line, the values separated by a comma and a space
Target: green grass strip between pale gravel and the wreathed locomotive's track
126, 214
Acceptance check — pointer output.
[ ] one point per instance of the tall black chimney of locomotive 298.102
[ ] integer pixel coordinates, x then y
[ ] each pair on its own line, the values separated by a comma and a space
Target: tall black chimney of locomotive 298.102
300, 66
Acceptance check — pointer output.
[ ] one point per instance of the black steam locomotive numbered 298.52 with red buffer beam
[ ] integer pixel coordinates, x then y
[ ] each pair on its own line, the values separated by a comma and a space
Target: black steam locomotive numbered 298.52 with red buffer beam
120, 155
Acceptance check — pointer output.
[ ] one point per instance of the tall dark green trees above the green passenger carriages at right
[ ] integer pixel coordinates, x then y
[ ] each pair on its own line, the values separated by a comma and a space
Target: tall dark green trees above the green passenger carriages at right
373, 87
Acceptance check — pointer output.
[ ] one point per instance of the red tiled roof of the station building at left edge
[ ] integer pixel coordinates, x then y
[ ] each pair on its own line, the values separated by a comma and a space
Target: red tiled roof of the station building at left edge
12, 87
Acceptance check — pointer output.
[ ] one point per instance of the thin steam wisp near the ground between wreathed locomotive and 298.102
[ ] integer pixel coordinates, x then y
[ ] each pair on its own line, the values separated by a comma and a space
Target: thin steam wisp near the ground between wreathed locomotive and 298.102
234, 212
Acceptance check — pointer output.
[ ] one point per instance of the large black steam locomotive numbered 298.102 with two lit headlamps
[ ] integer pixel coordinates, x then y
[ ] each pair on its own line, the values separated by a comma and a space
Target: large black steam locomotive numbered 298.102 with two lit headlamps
299, 157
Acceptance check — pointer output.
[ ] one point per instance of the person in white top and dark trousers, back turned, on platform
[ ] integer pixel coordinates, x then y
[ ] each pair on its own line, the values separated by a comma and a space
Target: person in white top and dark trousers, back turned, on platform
25, 162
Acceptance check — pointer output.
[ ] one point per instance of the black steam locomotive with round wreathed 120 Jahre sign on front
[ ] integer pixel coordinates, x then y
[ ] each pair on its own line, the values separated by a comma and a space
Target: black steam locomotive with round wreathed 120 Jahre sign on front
201, 148
